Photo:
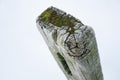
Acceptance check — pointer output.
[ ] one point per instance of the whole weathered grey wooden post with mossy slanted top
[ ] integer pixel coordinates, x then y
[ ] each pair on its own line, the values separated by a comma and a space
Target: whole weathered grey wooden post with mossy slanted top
72, 44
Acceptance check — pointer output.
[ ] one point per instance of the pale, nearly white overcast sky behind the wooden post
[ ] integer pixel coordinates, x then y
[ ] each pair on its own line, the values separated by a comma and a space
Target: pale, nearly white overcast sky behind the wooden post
23, 52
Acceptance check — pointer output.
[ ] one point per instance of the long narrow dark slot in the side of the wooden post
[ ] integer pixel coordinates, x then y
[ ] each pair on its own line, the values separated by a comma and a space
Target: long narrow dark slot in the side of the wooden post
62, 60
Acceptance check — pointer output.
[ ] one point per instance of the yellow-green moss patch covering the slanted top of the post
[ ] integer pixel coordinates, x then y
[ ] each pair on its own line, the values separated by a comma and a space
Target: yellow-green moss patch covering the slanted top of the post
57, 17
